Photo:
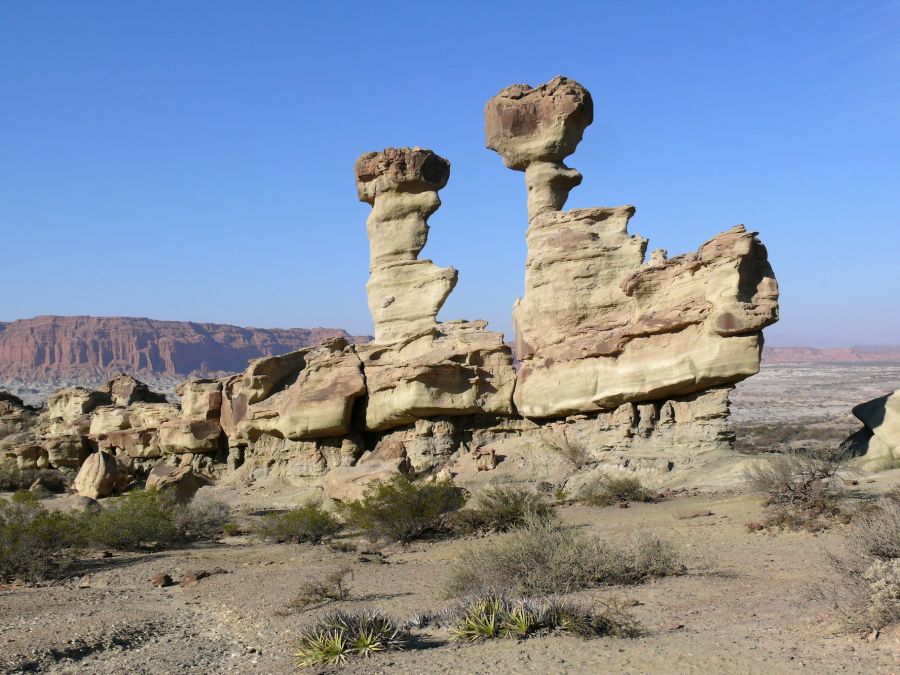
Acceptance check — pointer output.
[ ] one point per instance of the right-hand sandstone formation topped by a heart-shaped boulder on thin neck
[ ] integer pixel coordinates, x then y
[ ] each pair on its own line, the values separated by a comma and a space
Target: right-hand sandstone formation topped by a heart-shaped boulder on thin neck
598, 324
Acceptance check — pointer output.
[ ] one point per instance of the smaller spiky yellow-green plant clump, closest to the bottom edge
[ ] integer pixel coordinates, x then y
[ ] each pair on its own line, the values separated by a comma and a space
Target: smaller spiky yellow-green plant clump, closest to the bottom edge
341, 635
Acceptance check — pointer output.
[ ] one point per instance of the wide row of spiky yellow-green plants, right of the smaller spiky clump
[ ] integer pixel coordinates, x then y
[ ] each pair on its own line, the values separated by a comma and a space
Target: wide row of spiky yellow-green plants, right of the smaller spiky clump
496, 615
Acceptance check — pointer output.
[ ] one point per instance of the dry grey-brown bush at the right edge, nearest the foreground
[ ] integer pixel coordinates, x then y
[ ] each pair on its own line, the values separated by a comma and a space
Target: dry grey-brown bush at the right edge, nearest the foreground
867, 593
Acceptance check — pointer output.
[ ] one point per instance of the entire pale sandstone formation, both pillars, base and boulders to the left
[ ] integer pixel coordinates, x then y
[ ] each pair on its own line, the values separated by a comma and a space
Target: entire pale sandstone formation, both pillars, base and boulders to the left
626, 361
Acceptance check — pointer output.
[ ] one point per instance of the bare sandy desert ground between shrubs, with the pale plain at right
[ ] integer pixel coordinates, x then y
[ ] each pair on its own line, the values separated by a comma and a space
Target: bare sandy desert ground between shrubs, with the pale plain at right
747, 603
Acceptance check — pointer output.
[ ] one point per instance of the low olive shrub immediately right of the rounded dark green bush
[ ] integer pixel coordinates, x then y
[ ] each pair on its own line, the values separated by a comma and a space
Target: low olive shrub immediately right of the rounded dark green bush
502, 508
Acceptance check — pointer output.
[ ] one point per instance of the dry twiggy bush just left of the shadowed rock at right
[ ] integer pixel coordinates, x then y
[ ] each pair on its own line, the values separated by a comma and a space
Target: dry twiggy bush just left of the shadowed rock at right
802, 490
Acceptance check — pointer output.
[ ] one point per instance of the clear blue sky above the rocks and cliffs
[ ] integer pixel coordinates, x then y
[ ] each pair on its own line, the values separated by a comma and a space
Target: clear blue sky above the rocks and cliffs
194, 160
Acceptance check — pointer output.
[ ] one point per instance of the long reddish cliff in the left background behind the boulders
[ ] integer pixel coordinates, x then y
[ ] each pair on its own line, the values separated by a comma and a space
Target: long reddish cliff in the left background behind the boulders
86, 347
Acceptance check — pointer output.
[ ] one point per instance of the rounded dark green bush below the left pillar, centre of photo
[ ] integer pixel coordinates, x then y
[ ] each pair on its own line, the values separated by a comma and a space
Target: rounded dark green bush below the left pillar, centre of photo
402, 509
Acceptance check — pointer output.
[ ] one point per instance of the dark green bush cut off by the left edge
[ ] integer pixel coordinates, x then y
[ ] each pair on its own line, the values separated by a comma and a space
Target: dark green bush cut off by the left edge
34, 543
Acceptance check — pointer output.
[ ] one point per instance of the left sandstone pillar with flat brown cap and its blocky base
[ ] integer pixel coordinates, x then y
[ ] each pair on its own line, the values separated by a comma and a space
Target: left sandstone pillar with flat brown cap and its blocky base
417, 367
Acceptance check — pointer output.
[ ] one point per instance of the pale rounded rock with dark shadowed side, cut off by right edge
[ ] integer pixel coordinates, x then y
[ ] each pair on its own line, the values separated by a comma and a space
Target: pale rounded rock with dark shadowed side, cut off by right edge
877, 444
